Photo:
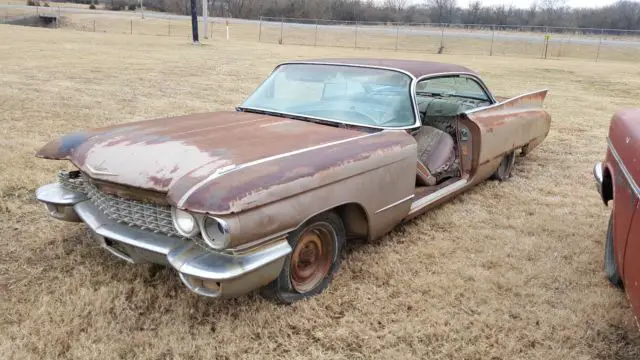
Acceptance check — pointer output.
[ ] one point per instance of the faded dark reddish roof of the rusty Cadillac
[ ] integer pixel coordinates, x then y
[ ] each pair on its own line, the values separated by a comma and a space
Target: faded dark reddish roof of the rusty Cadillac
417, 68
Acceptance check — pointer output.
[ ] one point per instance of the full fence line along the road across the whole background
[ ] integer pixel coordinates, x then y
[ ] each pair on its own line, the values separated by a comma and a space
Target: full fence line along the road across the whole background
492, 40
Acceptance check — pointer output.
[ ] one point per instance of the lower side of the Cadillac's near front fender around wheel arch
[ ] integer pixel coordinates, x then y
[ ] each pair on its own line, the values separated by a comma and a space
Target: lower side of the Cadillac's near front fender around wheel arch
384, 194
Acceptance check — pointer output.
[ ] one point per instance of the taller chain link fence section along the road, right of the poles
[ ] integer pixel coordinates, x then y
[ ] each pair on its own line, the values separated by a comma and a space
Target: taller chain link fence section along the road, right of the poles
460, 39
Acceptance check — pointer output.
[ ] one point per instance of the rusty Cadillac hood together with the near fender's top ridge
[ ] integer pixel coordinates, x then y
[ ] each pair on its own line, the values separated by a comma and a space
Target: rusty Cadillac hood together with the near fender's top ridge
228, 162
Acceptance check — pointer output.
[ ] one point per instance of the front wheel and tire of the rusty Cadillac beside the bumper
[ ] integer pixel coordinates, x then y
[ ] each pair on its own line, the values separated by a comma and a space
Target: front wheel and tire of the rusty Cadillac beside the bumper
315, 258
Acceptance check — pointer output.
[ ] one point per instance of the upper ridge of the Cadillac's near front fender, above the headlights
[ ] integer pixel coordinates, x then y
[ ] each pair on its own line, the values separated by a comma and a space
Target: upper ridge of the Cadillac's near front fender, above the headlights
287, 175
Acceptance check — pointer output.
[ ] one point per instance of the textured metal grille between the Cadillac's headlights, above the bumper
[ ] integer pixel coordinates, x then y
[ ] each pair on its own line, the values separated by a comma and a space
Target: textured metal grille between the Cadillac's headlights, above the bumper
150, 217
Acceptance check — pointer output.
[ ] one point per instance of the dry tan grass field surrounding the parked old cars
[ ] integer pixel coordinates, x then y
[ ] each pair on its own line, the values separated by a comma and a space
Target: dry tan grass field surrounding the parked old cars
506, 271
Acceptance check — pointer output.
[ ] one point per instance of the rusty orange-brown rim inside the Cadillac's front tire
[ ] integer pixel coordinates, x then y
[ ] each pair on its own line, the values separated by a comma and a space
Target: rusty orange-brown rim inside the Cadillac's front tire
312, 257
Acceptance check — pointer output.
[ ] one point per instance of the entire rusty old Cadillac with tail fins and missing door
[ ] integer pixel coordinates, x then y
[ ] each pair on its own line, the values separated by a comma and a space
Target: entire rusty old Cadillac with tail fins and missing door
265, 196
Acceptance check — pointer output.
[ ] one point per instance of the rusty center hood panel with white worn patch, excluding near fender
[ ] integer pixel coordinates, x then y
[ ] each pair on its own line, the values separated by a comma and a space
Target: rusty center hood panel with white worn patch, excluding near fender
155, 154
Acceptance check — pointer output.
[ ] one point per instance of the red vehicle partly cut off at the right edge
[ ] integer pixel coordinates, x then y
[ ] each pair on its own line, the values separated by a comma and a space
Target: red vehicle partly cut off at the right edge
616, 180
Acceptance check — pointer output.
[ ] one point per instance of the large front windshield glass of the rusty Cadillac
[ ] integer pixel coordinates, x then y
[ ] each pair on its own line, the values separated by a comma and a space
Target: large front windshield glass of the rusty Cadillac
345, 94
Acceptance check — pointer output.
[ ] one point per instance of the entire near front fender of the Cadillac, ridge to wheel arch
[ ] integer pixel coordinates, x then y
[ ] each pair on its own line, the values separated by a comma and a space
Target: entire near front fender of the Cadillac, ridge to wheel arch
272, 198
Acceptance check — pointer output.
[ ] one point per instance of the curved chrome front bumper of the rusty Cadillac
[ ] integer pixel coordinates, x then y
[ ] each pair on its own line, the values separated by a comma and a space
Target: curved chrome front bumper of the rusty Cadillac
202, 270
